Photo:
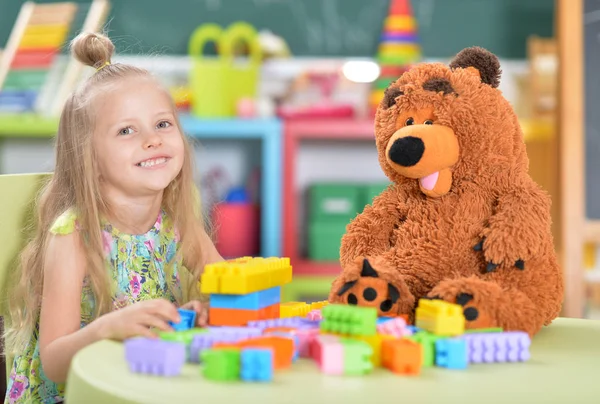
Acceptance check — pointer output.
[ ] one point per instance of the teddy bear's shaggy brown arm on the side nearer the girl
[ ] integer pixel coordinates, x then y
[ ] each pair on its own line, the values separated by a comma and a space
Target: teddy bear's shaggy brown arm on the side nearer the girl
370, 233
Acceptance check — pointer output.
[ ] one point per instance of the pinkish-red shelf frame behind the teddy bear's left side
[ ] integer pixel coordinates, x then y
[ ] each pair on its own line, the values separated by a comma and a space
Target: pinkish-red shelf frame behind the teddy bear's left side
296, 130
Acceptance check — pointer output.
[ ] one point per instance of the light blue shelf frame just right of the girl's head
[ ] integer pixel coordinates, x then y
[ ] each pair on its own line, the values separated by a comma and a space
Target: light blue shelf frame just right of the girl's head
268, 131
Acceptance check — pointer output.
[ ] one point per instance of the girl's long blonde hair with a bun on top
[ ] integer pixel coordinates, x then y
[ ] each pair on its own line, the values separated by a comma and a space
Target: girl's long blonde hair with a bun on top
75, 185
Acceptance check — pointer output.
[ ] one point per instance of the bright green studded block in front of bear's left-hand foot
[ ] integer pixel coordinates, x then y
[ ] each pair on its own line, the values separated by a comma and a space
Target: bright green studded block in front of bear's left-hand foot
349, 320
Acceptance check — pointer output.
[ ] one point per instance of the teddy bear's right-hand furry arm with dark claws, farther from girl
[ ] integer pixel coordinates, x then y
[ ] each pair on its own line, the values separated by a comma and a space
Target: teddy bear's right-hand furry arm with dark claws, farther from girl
519, 228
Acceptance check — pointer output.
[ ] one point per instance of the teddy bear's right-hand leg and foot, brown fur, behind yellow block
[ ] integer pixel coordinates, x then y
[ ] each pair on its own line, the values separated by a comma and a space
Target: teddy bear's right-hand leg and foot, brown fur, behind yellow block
510, 298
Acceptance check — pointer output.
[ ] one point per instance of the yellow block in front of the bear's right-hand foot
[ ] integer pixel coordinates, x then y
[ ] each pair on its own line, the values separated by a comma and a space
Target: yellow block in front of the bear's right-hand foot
440, 318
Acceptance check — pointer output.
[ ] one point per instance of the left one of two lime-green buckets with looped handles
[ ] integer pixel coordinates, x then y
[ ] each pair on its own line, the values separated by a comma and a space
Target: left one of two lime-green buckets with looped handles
208, 75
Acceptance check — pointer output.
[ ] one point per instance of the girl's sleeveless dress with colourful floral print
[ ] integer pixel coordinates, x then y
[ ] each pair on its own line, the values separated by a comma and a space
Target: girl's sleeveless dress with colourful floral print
141, 267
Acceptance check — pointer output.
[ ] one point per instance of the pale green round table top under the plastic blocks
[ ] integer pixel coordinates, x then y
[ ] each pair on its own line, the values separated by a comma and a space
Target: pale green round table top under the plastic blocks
564, 367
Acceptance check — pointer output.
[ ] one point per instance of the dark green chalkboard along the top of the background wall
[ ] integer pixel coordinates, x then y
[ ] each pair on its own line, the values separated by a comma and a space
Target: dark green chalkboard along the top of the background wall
330, 28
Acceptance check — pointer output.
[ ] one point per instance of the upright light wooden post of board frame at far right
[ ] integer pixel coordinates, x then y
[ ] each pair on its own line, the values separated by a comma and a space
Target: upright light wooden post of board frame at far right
576, 229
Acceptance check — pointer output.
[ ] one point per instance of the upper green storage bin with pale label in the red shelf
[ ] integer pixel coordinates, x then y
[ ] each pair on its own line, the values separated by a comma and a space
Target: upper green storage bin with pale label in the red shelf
334, 201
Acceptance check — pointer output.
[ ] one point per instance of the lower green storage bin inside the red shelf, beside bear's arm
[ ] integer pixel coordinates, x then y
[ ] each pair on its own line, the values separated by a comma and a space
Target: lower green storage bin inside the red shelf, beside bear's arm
325, 238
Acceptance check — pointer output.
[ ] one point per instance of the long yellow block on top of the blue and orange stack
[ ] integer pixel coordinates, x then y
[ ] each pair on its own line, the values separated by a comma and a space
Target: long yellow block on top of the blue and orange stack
245, 275
